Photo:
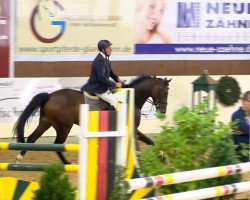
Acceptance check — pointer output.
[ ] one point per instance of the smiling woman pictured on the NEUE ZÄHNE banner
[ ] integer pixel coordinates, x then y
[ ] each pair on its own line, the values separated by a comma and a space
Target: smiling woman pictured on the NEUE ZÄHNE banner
149, 15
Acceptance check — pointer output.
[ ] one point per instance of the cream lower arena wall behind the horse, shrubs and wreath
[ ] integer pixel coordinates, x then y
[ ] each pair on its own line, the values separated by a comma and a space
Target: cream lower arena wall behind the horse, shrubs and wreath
180, 94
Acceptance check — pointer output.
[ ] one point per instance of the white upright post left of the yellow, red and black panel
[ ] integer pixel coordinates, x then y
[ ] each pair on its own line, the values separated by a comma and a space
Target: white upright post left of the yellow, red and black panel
83, 152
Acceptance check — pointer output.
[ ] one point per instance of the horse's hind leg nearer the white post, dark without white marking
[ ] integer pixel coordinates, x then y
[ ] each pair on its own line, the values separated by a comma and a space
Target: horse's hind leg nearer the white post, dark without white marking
61, 136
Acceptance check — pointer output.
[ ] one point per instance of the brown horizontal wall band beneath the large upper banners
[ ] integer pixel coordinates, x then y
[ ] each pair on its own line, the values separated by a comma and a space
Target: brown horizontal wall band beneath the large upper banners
135, 68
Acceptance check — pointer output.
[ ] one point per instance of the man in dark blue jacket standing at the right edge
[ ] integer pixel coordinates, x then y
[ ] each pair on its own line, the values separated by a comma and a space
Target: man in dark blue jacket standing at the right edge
241, 133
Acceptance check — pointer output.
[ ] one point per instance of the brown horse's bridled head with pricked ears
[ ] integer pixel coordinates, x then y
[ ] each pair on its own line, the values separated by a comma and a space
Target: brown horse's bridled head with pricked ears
160, 95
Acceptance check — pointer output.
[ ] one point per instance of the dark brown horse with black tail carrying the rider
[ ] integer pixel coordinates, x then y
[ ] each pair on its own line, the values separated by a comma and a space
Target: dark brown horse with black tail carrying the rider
60, 109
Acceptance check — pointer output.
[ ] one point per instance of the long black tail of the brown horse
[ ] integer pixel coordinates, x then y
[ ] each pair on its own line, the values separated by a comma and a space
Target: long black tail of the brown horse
37, 102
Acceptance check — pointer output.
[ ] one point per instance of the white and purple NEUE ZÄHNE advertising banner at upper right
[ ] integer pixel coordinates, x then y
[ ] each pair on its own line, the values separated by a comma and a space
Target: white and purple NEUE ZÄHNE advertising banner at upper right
198, 27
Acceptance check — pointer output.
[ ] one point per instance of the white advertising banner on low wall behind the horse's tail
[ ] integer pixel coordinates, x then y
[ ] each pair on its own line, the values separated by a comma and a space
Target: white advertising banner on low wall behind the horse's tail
16, 94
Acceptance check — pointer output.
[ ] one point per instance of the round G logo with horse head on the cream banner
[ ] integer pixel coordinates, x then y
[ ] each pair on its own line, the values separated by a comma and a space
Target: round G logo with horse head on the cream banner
49, 7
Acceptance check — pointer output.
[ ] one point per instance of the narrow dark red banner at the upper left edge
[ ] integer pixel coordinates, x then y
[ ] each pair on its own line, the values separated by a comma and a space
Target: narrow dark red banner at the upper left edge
4, 37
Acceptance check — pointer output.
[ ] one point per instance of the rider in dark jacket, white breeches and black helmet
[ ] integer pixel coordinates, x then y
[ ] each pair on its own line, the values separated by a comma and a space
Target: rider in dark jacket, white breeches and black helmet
99, 82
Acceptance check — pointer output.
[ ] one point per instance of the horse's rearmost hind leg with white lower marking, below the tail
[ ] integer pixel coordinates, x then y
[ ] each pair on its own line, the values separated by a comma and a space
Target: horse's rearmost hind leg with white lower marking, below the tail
41, 128
